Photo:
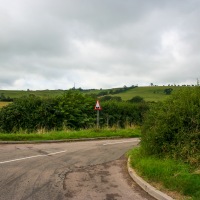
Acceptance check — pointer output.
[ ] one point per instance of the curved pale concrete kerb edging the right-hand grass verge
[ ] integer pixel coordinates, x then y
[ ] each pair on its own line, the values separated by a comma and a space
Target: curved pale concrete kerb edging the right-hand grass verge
146, 186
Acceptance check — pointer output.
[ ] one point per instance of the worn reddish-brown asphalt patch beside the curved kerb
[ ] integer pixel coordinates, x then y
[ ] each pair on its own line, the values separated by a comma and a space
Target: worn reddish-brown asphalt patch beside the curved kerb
108, 181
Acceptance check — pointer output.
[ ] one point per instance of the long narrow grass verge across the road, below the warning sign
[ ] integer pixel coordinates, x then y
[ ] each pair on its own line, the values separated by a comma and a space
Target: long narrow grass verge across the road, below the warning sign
61, 135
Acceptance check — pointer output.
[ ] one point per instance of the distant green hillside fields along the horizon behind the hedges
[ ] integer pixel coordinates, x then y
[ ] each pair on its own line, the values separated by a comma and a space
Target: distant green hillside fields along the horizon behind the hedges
149, 93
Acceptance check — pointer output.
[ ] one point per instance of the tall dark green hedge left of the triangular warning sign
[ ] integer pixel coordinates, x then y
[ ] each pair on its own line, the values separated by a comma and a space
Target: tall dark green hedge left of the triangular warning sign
31, 113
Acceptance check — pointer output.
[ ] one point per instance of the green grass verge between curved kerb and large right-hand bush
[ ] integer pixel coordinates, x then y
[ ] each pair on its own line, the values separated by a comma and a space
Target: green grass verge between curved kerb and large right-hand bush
173, 175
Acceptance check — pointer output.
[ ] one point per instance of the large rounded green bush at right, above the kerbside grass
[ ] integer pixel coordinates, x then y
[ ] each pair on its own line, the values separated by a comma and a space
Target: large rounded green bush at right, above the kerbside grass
172, 128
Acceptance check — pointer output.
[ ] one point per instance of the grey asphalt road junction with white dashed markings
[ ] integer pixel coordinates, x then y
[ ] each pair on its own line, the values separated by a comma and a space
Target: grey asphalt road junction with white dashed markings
76, 170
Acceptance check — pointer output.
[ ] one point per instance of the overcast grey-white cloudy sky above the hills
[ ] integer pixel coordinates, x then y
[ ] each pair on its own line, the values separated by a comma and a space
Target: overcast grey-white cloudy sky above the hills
59, 44
